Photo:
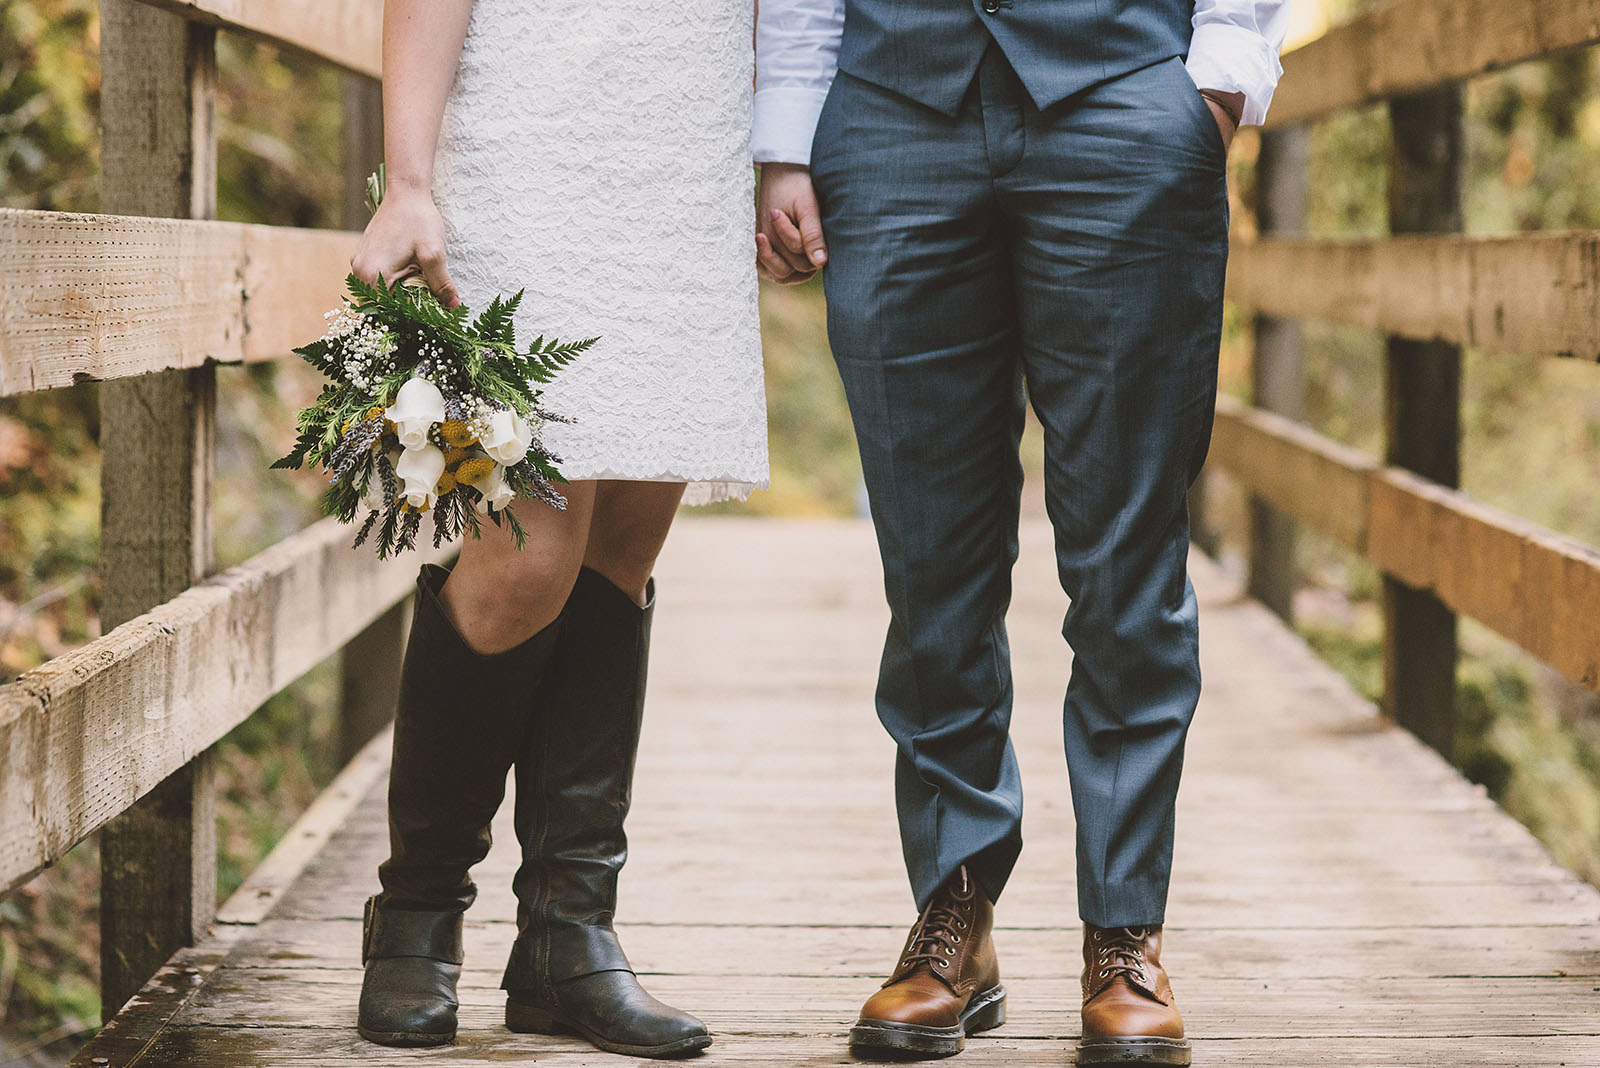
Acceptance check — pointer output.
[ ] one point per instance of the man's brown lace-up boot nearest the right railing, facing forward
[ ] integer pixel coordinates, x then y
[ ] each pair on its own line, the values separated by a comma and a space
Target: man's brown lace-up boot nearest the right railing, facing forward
1129, 1013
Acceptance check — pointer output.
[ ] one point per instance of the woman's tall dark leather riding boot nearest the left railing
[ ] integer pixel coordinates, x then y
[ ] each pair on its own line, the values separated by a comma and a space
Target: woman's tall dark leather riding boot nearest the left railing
458, 728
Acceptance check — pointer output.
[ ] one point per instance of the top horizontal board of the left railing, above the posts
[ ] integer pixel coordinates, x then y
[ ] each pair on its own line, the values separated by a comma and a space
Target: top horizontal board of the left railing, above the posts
346, 33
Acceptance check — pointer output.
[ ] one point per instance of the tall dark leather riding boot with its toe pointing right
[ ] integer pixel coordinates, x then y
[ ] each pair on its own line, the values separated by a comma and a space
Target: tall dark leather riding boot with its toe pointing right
575, 779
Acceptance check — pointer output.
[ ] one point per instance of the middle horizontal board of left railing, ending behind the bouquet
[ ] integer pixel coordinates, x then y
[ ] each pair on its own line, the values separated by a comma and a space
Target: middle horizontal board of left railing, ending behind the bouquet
92, 298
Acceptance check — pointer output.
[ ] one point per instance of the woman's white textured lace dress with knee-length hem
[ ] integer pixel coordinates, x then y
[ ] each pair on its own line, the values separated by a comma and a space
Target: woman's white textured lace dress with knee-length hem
599, 156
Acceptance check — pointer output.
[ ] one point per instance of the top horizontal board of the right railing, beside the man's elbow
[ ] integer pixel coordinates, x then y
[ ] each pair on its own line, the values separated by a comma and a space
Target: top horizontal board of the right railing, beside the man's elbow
1412, 46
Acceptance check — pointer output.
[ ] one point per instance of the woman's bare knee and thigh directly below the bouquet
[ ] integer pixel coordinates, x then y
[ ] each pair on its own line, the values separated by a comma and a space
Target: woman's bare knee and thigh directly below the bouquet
498, 596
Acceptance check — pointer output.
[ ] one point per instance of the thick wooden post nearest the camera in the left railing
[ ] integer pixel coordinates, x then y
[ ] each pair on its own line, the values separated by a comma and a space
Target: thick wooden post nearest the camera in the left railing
158, 432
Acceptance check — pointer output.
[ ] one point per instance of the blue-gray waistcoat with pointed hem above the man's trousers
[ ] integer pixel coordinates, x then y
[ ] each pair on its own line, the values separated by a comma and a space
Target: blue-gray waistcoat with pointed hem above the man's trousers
929, 50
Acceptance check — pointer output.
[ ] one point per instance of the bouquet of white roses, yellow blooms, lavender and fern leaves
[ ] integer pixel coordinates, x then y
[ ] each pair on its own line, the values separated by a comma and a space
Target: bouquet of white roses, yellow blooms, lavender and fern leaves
428, 413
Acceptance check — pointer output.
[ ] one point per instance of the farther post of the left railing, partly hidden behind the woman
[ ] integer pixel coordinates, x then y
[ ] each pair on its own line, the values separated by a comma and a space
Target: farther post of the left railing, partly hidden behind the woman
370, 664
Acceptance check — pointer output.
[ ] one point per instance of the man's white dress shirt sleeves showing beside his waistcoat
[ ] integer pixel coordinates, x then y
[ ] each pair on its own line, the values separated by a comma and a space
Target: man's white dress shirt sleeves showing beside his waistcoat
1234, 49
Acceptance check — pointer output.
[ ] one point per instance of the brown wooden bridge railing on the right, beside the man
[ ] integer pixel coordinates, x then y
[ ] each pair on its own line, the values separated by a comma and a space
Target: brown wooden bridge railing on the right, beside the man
1431, 292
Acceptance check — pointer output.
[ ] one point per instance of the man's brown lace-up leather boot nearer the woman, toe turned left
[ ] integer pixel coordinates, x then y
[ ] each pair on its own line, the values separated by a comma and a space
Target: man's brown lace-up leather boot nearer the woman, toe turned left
946, 984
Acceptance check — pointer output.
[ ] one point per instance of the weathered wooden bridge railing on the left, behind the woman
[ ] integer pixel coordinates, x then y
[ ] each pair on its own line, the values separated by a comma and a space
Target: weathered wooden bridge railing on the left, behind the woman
148, 300
